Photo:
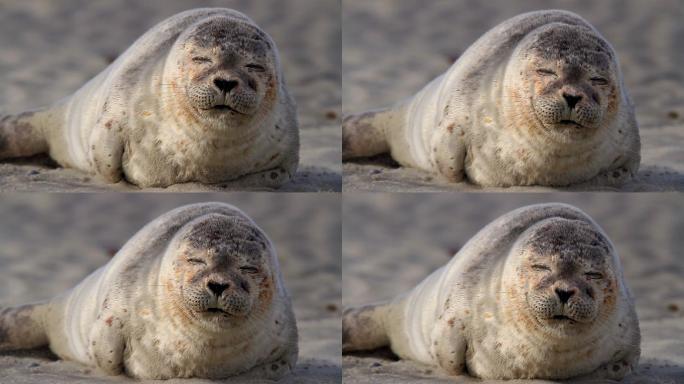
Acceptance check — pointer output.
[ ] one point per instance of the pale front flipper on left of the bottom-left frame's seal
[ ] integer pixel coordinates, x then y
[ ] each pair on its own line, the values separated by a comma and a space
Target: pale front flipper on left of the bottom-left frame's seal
107, 344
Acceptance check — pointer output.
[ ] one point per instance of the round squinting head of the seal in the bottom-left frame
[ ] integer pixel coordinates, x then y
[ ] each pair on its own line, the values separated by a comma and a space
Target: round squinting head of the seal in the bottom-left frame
219, 272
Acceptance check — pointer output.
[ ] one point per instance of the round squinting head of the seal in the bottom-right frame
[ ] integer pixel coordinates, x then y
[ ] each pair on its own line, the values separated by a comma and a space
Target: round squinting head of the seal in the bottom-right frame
561, 283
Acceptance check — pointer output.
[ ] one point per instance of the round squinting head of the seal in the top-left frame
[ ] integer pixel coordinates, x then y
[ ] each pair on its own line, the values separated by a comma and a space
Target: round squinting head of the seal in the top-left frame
225, 69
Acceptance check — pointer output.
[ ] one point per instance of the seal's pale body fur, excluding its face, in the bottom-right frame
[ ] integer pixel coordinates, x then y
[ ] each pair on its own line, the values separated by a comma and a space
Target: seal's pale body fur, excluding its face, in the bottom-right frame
460, 317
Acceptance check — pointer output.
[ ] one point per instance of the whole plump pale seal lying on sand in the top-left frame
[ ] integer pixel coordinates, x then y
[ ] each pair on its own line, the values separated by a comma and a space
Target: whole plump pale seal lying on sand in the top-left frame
198, 98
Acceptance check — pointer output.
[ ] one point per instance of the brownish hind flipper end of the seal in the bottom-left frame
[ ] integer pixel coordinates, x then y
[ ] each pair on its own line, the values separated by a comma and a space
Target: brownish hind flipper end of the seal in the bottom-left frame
23, 327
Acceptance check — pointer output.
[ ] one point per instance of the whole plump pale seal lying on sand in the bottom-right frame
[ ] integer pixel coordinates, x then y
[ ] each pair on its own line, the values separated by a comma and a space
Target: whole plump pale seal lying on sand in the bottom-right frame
538, 293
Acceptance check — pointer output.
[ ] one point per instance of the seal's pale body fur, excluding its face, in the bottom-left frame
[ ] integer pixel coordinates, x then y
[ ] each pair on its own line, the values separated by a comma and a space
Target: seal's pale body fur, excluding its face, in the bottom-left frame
121, 320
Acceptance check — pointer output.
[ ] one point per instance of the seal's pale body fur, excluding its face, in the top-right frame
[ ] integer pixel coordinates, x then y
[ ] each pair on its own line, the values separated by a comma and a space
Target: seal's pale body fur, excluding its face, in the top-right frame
476, 122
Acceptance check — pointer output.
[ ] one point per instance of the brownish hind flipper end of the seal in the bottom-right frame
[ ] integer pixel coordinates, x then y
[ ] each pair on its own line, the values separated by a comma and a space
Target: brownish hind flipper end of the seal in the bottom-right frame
363, 328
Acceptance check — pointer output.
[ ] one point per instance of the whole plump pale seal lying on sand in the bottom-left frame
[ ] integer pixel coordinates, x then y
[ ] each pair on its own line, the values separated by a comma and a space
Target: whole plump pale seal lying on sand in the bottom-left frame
195, 293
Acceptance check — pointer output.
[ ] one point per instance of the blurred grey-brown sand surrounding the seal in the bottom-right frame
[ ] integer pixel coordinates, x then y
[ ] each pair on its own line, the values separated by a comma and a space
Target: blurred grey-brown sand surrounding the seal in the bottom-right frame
392, 242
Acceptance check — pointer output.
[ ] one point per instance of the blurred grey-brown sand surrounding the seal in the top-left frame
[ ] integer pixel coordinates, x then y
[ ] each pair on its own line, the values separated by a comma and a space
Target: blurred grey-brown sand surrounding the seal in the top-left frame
51, 48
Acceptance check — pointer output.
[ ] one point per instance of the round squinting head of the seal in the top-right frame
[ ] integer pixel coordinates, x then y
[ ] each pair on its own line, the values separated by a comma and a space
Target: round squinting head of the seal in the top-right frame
565, 75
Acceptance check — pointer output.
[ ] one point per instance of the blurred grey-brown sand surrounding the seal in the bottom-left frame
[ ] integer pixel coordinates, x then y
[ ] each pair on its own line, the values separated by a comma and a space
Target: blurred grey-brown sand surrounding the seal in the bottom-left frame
52, 241
